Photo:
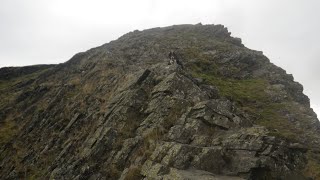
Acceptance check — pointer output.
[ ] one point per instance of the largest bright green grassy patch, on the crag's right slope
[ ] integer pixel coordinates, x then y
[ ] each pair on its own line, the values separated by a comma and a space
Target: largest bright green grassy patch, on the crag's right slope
251, 96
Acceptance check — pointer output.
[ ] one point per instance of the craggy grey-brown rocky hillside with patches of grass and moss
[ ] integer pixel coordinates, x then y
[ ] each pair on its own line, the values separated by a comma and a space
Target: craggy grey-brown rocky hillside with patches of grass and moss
120, 111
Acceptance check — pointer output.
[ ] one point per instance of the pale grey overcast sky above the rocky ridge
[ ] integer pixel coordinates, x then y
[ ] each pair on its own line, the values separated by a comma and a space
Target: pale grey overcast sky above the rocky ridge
51, 31
